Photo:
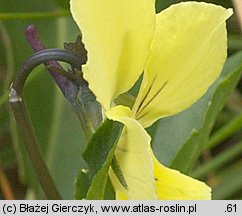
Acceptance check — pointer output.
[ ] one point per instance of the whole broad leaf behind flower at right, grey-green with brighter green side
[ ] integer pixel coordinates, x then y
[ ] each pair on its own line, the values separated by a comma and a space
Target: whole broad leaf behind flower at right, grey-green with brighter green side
178, 140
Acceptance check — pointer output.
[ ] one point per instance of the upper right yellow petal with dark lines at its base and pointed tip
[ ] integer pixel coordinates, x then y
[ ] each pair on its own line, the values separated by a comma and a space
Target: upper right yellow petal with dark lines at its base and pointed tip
188, 53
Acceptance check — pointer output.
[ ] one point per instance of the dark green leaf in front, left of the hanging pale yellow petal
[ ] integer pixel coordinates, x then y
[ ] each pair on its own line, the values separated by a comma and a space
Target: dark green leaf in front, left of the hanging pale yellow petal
99, 153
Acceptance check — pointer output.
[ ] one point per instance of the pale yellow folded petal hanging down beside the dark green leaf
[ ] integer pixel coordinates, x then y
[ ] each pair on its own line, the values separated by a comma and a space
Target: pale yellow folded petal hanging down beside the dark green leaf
134, 158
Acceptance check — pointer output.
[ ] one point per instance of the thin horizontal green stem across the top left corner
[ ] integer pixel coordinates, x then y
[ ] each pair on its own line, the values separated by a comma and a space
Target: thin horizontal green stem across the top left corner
37, 15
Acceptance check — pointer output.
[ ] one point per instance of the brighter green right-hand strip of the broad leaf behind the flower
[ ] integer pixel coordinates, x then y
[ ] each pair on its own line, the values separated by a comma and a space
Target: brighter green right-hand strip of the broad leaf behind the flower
198, 139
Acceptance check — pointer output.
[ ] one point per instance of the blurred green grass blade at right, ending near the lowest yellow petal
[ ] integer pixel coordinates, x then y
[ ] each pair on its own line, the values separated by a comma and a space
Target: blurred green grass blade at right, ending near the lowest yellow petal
219, 160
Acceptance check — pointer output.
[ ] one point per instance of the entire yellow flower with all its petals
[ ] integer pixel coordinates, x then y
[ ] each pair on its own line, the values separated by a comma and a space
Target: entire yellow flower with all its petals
180, 53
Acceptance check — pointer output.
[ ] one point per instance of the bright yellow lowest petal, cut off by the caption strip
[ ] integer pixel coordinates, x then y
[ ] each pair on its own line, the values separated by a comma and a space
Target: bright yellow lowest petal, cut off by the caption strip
172, 185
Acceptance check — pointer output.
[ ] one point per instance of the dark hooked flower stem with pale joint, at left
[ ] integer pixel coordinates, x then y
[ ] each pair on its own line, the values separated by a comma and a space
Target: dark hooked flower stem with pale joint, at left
23, 120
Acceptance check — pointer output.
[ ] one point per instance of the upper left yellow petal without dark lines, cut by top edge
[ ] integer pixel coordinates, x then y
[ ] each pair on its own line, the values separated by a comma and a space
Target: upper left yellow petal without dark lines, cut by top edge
117, 35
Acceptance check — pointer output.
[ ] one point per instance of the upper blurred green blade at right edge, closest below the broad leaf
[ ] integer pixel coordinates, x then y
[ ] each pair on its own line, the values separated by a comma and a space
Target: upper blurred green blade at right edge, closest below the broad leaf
232, 127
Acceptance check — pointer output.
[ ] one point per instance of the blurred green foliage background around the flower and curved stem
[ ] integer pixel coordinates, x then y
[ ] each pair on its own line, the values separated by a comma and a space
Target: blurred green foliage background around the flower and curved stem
216, 158
